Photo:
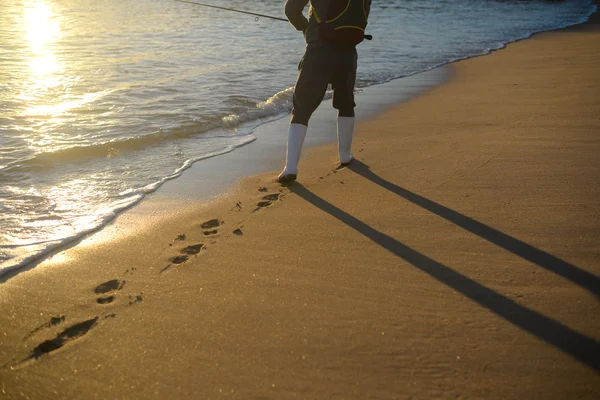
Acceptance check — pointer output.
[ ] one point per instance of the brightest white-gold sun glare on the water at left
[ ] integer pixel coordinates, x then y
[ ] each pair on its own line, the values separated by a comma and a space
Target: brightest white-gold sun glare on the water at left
48, 92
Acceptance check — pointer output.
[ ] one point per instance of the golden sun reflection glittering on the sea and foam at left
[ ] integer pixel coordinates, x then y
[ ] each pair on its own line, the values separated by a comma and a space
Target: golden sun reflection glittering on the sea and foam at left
51, 97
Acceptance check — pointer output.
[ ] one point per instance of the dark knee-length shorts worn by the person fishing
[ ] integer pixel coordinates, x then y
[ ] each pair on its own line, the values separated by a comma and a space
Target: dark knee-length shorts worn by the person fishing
319, 67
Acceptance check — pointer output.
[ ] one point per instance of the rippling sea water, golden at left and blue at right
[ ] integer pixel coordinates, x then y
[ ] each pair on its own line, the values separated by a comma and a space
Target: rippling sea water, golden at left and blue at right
102, 102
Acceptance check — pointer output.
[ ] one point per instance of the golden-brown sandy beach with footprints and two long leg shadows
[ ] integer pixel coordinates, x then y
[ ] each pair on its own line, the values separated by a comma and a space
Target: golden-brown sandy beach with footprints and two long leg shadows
457, 257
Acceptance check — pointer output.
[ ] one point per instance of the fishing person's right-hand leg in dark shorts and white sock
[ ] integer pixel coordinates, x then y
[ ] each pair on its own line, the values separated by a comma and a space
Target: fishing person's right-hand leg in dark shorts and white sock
343, 100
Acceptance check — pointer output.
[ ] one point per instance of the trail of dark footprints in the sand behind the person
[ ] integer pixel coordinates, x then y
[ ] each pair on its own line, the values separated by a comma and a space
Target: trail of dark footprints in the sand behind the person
106, 293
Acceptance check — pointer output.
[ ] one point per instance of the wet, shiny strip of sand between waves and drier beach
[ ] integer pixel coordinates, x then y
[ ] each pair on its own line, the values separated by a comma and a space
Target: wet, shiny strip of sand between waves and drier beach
187, 190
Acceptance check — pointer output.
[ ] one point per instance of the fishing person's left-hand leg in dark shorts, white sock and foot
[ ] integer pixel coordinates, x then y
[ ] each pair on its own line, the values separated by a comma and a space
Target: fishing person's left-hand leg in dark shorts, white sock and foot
311, 85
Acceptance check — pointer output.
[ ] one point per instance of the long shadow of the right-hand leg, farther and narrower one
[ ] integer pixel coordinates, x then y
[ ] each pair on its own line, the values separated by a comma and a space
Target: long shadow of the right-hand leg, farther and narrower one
547, 261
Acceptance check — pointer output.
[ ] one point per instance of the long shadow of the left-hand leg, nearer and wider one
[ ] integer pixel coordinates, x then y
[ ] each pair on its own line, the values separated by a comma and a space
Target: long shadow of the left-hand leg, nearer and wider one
580, 347
